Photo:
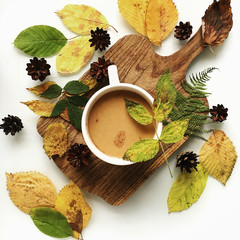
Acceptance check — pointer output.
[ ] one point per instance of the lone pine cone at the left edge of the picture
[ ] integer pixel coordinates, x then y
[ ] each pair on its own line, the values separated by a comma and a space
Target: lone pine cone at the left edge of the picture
12, 124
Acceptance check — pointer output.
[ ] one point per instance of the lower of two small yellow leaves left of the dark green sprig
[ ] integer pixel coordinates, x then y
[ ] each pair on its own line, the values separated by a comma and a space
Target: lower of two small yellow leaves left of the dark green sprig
40, 107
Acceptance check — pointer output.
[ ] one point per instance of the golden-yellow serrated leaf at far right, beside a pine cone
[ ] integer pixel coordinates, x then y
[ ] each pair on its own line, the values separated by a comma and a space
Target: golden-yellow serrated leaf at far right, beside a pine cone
218, 156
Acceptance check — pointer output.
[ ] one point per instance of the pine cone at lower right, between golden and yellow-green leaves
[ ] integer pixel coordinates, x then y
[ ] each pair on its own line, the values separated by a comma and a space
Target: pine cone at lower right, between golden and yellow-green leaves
187, 160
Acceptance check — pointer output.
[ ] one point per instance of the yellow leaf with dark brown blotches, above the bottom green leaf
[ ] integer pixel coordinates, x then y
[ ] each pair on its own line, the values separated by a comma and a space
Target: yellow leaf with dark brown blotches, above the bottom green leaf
70, 203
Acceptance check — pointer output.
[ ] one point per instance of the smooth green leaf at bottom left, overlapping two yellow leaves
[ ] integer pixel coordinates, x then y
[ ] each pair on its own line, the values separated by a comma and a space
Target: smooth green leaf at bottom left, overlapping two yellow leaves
51, 222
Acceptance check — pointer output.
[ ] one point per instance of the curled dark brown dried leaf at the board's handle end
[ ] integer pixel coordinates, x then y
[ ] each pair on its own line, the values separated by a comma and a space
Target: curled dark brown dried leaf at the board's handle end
217, 22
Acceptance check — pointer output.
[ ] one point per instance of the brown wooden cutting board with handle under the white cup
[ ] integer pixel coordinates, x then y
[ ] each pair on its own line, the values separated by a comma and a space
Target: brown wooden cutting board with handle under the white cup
138, 64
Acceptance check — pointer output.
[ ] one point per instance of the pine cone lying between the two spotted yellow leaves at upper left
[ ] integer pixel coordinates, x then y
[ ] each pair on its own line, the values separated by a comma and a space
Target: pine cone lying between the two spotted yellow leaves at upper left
100, 39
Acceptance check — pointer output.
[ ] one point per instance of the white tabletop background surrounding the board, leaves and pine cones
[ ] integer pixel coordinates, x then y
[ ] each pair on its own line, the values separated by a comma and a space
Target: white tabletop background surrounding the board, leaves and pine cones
145, 215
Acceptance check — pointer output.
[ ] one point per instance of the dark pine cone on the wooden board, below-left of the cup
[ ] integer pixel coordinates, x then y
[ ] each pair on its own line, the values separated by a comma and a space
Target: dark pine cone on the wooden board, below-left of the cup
79, 155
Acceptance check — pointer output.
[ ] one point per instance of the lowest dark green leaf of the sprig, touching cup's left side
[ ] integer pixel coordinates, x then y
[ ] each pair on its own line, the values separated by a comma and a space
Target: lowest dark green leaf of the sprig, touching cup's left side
75, 116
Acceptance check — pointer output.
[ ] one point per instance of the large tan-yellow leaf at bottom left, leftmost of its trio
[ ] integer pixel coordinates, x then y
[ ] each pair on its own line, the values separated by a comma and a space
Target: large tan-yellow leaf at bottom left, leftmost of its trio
28, 190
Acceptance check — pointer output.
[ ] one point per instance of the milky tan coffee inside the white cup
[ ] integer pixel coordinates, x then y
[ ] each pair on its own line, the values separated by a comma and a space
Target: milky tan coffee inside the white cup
111, 128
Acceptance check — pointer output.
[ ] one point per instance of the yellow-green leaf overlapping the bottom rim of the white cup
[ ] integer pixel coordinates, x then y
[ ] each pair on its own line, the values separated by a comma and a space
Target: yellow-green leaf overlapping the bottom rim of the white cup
142, 150
